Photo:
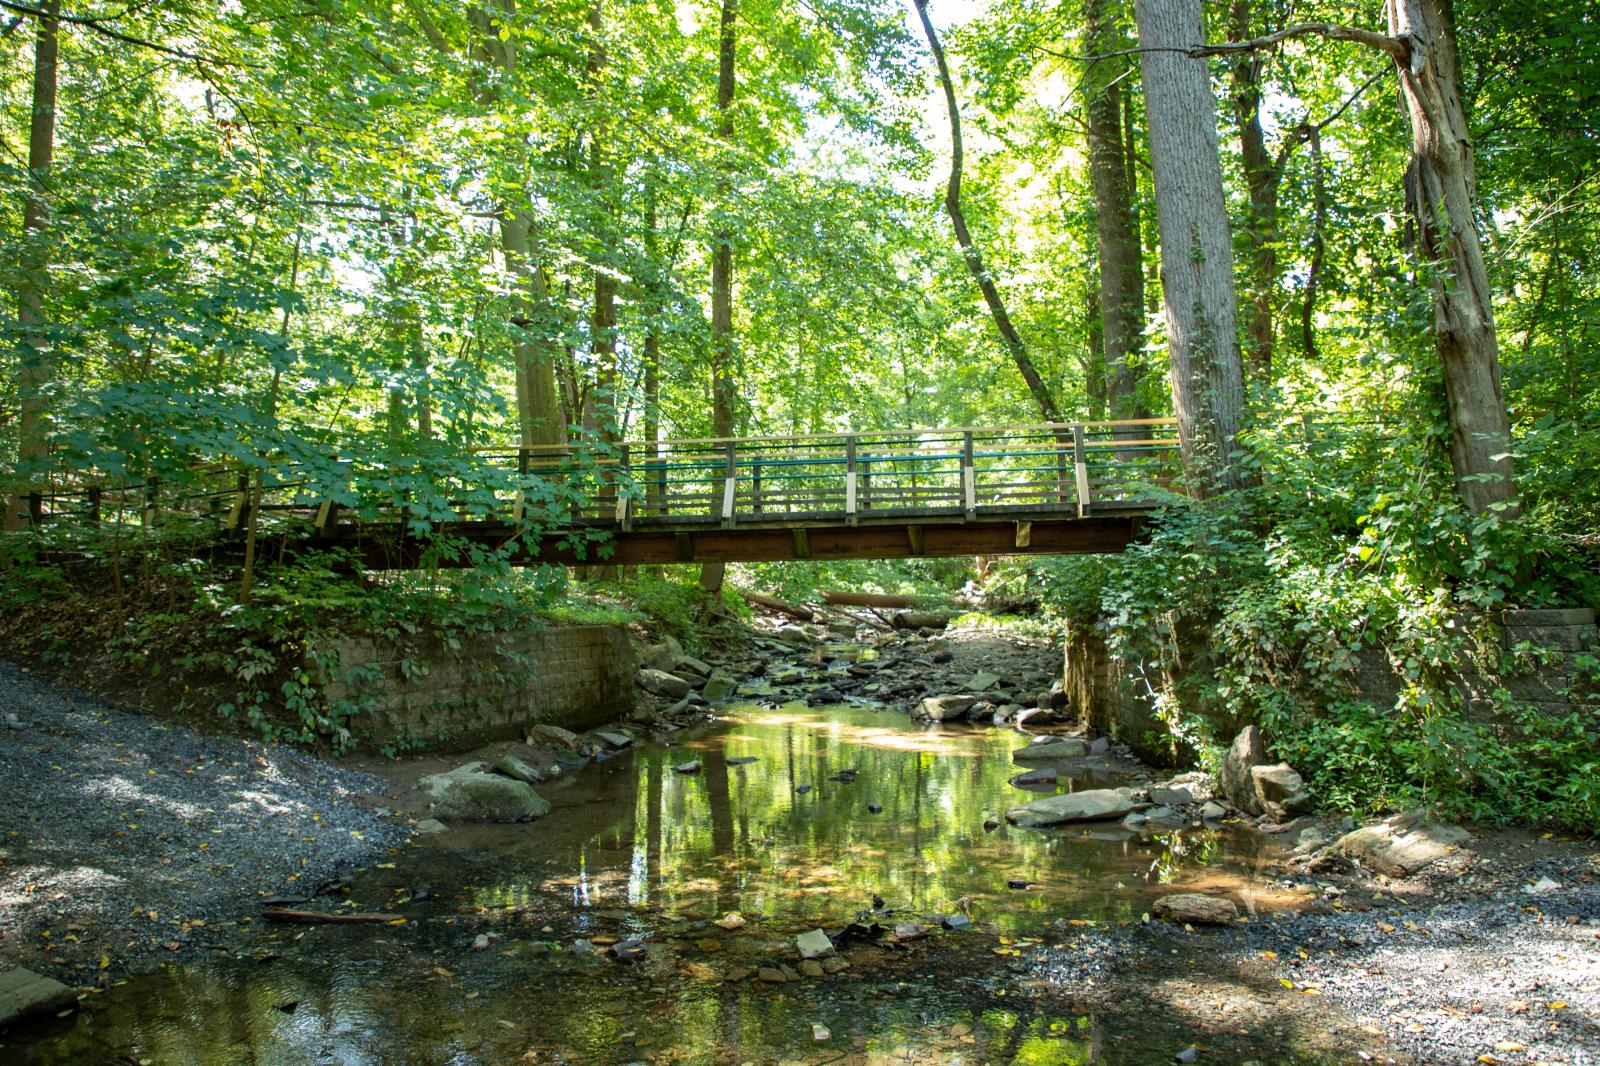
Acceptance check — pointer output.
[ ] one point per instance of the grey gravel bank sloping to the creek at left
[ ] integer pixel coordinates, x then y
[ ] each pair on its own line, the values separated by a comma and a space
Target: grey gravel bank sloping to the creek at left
126, 840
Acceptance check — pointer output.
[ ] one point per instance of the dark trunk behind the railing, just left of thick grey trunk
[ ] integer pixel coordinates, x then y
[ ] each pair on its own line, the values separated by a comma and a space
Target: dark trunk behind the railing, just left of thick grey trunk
1116, 225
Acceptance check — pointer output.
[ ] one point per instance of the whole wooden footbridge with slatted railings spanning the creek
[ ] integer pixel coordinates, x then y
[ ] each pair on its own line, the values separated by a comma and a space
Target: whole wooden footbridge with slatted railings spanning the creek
1079, 487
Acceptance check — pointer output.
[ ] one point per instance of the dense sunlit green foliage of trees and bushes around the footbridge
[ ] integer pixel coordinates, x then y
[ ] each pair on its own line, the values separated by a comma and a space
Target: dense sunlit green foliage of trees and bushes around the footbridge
321, 230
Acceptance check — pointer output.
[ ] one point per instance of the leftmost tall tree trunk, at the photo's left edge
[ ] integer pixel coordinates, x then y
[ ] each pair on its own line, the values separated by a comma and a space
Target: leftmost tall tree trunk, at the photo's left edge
36, 371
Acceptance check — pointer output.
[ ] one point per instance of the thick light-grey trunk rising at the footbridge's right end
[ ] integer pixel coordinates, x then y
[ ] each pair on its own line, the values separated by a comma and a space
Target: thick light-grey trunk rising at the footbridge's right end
1198, 266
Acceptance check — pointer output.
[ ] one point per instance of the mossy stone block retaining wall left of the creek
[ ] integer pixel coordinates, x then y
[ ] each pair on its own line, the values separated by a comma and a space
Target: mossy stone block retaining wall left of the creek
490, 687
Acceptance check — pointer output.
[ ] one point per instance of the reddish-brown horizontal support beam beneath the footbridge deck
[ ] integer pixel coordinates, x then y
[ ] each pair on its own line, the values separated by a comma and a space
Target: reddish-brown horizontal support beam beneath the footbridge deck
631, 548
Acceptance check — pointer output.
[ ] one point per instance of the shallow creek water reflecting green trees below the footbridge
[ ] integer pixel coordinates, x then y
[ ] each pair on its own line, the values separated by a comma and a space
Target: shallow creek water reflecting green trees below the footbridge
772, 827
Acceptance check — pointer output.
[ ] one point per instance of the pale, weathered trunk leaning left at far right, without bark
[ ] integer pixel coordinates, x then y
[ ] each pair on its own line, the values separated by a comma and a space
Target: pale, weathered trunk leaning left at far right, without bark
1442, 202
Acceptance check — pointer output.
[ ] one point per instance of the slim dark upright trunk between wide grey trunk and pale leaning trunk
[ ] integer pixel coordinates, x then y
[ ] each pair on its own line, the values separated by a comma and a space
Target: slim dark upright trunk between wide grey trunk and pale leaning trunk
1262, 180
